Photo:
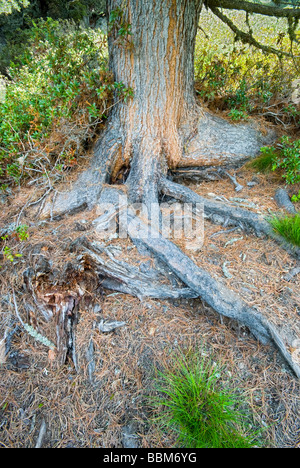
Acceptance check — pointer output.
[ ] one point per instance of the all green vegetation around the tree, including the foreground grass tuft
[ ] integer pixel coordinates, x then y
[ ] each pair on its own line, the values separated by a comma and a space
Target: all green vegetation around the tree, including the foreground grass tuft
56, 92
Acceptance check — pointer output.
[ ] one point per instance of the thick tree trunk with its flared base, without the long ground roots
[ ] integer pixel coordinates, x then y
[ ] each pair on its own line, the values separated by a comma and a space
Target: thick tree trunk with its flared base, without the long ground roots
162, 126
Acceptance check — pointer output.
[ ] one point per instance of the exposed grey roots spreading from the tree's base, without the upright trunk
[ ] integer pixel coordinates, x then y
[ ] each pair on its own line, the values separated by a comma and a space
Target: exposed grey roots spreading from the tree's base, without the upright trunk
145, 184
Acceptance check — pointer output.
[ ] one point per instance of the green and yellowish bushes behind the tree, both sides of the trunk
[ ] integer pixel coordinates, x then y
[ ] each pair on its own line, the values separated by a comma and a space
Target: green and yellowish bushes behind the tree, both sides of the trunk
57, 88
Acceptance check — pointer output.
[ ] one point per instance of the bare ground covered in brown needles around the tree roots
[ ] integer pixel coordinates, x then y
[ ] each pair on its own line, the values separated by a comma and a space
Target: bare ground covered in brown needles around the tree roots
113, 410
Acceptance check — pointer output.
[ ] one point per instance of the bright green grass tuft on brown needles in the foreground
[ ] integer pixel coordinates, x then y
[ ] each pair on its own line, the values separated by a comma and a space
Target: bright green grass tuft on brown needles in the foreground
193, 405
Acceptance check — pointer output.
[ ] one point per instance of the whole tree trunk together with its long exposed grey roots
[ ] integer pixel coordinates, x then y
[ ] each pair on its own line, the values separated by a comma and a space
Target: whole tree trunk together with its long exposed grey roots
151, 47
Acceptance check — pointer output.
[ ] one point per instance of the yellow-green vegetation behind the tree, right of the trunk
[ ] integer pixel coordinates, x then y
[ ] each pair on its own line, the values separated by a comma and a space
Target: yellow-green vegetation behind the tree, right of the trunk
242, 80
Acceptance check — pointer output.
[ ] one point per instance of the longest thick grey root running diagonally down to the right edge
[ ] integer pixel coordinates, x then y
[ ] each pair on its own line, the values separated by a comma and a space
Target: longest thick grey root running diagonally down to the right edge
216, 295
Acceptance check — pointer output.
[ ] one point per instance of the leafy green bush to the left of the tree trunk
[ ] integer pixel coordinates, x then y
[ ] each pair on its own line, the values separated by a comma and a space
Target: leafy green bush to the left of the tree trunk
60, 92
